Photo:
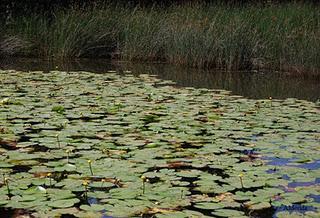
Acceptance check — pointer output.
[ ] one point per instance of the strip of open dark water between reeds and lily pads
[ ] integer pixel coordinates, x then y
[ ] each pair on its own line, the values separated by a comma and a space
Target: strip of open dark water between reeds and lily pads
257, 85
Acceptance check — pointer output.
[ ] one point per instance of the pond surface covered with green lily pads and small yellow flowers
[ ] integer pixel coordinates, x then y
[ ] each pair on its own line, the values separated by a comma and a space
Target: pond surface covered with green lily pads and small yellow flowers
122, 144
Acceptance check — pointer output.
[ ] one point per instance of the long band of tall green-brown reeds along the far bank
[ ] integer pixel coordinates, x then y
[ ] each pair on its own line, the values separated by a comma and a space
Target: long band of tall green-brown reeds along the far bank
282, 37
